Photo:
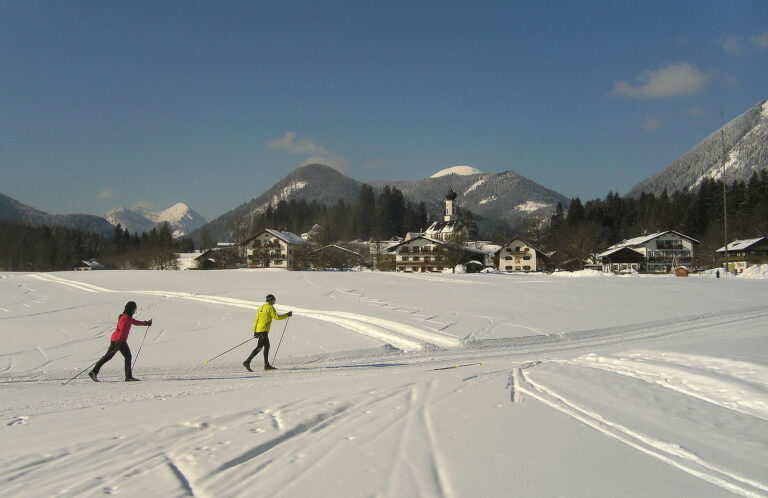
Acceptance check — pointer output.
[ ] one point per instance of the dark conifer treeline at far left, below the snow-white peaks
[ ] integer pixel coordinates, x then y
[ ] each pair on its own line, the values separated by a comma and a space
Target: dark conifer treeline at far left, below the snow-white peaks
31, 247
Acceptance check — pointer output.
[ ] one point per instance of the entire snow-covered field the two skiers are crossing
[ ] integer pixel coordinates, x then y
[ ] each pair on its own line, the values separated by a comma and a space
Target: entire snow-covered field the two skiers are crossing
595, 386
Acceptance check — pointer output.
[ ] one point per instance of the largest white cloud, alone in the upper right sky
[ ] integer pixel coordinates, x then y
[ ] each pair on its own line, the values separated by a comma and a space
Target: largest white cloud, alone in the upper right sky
676, 80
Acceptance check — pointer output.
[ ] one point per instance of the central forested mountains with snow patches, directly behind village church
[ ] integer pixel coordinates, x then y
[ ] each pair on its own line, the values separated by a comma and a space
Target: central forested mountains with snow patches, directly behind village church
505, 195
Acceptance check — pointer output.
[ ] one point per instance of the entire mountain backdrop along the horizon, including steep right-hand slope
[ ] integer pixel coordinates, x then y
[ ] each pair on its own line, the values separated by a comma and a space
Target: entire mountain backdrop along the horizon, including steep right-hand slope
506, 195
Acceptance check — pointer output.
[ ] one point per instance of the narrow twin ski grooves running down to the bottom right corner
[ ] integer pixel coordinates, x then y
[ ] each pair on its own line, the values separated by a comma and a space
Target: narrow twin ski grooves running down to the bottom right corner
668, 452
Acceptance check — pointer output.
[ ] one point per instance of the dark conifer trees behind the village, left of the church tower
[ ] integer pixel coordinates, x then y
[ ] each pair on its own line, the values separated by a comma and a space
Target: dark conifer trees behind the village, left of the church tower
369, 217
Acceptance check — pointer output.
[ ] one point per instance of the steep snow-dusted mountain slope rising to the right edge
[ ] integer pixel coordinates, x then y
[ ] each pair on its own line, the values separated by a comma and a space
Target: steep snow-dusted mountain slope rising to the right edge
746, 151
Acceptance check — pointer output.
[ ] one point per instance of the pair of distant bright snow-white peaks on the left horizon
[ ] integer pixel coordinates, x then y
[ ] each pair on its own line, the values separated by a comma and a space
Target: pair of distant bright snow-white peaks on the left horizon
180, 217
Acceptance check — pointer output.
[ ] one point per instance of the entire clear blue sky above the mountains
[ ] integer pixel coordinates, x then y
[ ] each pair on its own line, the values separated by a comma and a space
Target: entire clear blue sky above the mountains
210, 103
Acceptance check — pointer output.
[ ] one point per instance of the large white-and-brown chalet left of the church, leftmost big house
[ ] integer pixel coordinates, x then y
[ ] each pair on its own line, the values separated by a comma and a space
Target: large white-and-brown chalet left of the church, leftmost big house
275, 249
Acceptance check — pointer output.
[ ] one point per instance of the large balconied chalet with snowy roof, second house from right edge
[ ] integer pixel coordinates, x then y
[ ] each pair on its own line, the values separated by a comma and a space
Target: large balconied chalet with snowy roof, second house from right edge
661, 251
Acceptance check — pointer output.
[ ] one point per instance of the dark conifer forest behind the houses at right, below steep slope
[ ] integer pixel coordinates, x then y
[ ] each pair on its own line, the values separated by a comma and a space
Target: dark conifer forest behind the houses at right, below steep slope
597, 224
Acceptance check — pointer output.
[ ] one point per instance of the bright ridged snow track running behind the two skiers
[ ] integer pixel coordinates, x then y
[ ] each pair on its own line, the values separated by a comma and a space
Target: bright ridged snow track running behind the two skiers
400, 336
